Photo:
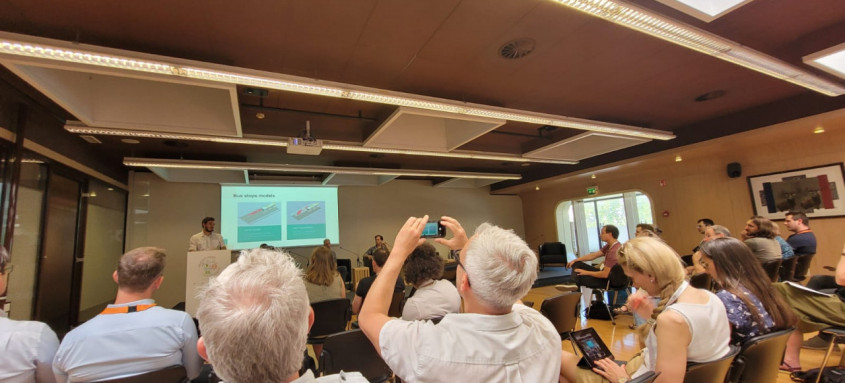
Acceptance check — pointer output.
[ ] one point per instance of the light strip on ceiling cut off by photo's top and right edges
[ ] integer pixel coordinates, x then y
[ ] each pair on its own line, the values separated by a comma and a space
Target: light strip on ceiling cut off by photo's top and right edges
656, 25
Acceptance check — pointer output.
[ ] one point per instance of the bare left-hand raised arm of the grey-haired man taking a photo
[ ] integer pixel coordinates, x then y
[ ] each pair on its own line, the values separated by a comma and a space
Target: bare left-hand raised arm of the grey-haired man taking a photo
373, 314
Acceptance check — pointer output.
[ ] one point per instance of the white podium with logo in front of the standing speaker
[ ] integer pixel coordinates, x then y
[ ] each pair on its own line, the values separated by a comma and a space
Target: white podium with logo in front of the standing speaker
200, 267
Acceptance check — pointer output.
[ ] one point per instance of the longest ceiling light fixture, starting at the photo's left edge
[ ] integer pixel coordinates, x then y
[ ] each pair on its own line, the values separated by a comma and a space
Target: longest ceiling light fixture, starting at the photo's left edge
19, 46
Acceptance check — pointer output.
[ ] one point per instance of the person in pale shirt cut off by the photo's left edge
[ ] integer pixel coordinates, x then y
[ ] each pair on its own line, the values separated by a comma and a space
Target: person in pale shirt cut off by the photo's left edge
28, 347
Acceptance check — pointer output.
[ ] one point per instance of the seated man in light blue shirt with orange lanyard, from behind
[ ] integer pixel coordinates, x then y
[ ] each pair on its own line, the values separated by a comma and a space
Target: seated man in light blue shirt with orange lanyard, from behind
133, 336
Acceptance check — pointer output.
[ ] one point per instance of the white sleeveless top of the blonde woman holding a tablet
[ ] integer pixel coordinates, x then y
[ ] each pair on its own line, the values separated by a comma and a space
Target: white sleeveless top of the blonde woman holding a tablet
708, 324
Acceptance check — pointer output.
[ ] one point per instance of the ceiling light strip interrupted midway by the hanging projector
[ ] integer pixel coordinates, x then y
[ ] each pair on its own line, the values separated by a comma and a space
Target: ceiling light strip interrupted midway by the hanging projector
78, 129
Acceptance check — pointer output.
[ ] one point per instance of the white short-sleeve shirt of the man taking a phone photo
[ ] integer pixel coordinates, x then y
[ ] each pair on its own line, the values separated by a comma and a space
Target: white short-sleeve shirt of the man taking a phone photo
521, 346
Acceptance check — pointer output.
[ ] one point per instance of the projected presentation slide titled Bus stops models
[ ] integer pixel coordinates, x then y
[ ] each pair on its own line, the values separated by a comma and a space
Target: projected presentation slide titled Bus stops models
281, 216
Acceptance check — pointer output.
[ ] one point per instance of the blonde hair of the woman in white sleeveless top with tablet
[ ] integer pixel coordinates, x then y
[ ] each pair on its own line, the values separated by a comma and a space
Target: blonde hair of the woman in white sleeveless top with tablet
653, 257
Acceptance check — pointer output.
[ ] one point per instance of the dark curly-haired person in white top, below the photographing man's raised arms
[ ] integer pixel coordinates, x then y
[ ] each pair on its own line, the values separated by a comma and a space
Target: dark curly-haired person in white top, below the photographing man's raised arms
434, 297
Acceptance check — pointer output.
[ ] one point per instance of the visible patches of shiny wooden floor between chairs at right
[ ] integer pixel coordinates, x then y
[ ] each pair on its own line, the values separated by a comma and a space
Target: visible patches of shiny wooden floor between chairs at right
623, 342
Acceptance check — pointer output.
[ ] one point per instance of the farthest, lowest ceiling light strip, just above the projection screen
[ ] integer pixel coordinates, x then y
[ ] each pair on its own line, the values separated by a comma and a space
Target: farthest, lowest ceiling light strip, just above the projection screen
284, 168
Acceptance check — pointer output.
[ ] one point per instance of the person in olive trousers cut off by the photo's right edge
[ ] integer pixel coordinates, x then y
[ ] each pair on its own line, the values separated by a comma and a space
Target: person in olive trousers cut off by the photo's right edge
815, 312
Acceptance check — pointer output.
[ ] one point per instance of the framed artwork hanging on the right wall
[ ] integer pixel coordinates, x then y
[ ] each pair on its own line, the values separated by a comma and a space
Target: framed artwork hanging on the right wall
816, 191
